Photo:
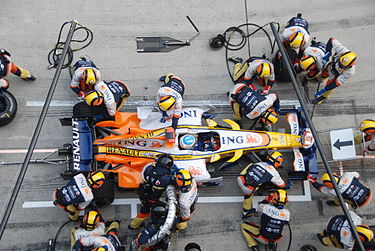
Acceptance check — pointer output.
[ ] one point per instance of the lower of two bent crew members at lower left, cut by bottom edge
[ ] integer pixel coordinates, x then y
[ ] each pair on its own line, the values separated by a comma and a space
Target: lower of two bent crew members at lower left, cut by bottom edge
106, 242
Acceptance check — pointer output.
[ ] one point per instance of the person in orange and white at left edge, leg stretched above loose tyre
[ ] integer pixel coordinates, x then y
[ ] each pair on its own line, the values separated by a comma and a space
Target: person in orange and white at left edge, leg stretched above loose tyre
6, 66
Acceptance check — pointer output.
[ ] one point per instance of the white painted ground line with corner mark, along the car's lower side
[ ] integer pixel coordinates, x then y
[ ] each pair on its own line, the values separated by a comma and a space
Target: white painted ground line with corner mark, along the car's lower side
133, 202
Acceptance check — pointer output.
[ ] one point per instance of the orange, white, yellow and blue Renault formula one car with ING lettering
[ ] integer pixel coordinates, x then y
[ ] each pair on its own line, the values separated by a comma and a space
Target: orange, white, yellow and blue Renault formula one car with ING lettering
124, 146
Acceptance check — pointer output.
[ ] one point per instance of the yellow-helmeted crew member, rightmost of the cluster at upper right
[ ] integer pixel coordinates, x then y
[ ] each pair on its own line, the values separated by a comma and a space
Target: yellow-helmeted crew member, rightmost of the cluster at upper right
339, 69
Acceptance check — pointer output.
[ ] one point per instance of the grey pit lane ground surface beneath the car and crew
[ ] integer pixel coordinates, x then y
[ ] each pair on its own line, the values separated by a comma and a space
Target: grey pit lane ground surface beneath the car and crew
115, 25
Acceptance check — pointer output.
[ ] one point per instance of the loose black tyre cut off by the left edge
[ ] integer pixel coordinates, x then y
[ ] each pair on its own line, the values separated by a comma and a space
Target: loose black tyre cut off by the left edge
8, 107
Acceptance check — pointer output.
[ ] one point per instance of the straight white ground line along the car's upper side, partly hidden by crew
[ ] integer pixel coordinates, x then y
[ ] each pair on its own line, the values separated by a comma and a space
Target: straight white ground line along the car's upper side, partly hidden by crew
152, 103
